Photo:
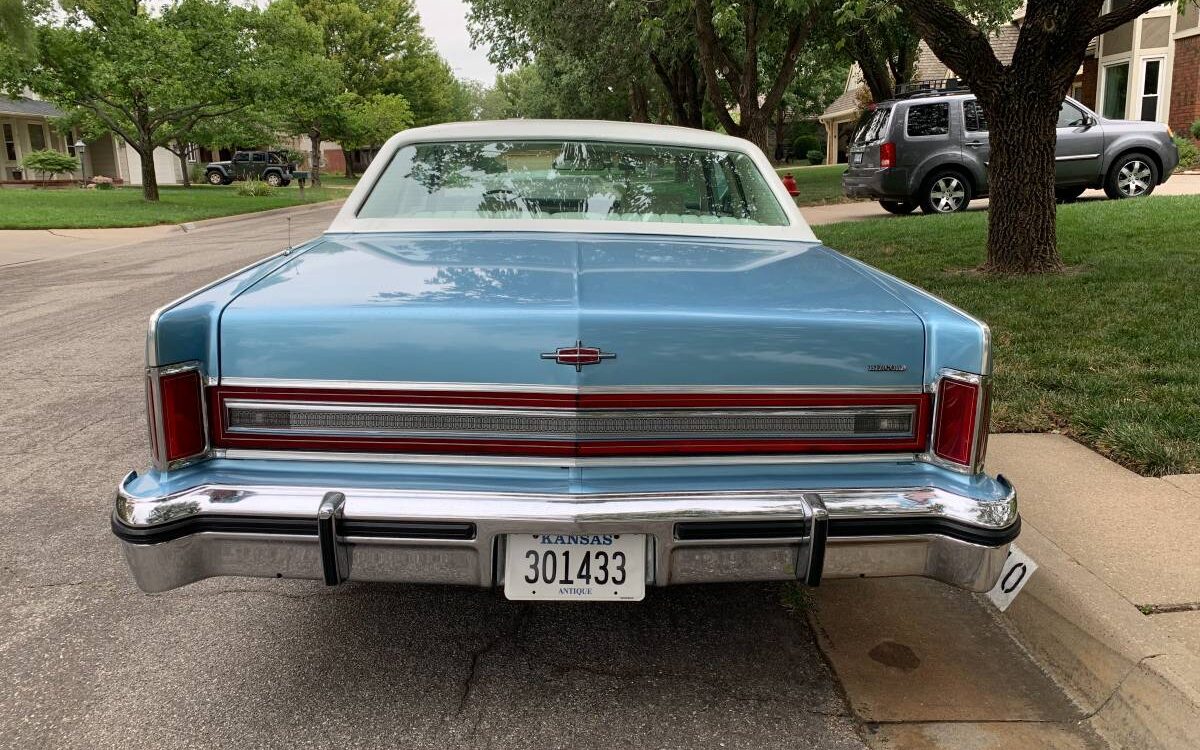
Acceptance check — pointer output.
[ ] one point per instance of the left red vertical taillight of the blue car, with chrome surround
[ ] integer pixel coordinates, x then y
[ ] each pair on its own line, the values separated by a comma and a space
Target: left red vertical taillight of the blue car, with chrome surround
176, 404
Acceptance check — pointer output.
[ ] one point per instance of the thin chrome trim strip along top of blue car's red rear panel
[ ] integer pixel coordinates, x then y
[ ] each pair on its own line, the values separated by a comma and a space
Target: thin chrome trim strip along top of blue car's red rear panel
538, 388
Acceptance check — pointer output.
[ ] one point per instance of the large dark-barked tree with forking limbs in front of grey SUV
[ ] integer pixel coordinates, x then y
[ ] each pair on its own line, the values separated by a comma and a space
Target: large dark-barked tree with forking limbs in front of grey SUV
1022, 101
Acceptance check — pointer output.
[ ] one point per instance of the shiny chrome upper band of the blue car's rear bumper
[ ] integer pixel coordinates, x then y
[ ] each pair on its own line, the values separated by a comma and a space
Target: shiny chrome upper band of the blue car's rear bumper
509, 512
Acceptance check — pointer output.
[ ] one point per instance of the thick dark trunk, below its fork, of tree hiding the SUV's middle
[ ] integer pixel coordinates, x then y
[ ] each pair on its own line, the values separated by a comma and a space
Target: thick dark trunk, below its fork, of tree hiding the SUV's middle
1022, 235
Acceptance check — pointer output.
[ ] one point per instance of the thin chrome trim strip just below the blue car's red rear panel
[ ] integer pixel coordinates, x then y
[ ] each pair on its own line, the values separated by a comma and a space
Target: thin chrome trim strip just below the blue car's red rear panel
557, 461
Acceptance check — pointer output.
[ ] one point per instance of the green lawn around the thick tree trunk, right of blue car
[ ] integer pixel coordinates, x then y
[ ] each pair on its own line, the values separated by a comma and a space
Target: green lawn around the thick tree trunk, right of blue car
1108, 353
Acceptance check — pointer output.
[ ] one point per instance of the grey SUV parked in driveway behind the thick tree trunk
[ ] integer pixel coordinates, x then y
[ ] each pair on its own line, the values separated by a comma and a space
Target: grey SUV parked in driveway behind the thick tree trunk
932, 151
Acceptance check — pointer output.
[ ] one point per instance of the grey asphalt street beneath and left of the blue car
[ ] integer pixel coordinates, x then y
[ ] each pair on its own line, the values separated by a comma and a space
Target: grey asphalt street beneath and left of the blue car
91, 662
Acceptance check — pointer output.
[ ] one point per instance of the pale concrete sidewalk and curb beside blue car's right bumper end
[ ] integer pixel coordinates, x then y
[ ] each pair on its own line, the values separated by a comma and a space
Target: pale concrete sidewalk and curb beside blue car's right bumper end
1114, 609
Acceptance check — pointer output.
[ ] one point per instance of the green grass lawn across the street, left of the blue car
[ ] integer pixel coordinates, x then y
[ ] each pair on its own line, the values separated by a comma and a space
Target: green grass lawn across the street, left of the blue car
77, 209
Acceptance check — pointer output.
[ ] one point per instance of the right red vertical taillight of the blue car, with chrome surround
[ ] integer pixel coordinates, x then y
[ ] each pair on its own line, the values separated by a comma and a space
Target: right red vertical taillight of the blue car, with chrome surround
961, 421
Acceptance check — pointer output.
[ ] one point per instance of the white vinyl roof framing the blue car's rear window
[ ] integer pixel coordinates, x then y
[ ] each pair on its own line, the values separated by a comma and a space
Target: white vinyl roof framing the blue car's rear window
347, 220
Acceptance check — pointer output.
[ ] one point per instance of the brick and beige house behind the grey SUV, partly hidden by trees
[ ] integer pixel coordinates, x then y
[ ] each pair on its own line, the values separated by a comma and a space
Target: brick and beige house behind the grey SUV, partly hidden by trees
1145, 70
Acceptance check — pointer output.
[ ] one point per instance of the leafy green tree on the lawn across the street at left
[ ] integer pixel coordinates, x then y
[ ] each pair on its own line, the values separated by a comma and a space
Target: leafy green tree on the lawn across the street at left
137, 73
